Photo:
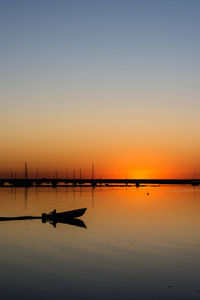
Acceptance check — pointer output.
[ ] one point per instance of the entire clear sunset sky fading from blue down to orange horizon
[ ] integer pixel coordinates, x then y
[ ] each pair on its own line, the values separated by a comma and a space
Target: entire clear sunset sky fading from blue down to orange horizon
110, 82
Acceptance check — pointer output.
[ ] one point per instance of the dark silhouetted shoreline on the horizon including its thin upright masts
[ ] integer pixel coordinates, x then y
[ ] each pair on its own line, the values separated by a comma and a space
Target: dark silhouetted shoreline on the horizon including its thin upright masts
93, 181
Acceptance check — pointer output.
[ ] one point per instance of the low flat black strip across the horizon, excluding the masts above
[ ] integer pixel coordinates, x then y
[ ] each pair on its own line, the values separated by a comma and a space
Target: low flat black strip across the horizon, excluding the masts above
56, 182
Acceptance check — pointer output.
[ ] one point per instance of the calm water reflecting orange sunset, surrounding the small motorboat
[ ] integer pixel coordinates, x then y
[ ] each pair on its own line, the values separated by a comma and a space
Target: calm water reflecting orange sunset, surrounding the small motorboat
136, 246
